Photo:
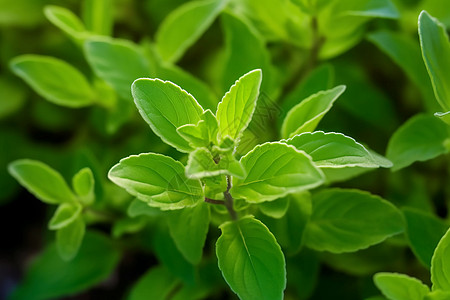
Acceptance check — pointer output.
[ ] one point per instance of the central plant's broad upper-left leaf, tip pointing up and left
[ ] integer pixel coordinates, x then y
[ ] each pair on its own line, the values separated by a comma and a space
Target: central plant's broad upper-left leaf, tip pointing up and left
165, 107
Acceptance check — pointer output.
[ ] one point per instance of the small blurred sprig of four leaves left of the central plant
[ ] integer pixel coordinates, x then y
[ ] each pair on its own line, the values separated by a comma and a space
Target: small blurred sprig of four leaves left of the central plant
49, 186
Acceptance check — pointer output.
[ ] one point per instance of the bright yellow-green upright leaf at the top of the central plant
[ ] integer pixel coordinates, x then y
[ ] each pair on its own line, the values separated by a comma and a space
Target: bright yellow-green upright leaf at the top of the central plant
236, 109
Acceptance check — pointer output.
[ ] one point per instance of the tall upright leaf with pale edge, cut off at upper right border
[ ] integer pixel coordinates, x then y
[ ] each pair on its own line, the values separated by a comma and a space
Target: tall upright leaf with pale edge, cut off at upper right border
436, 55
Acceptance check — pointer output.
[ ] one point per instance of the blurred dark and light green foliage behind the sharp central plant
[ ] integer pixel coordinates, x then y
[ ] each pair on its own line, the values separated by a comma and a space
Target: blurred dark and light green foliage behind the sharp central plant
302, 46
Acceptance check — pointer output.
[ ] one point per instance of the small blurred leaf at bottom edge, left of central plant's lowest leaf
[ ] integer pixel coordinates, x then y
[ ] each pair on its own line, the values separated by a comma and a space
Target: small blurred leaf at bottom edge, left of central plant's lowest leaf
157, 283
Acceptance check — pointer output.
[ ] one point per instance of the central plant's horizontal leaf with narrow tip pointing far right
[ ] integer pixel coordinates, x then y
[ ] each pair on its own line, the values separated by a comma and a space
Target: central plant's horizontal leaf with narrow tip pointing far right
334, 150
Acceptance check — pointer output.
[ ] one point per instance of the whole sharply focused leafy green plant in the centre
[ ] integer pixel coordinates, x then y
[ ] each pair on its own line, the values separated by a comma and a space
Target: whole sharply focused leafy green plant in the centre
268, 179
